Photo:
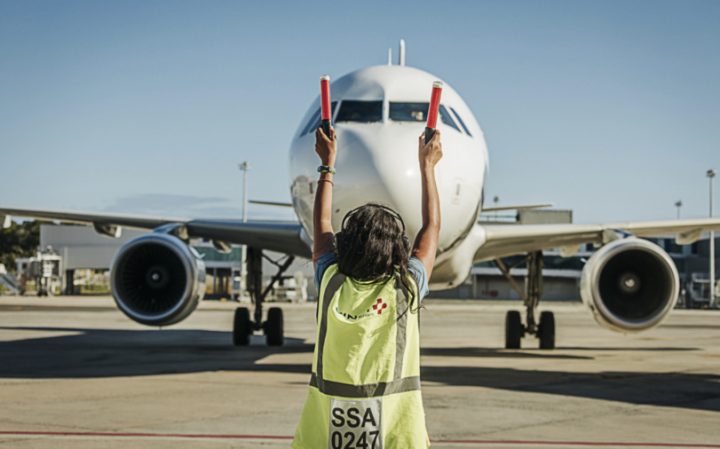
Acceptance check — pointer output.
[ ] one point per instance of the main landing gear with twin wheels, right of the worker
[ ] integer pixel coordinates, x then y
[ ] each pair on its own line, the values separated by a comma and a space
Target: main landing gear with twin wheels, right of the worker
544, 329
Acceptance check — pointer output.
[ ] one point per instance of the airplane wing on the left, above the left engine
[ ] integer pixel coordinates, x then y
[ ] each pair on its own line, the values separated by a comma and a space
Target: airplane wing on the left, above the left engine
285, 237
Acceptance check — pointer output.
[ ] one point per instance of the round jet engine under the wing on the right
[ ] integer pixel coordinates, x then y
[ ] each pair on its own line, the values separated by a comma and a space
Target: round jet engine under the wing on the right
630, 285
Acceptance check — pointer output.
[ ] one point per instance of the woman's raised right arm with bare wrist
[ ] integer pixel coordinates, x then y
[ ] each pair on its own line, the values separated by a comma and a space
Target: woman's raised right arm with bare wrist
426, 242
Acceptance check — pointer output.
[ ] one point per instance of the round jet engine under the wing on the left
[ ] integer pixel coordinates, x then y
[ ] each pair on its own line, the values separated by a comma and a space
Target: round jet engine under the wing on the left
157, 279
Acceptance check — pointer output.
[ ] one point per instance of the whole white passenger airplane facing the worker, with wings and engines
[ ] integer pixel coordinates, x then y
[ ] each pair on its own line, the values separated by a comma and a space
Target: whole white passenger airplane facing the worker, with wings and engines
629, 284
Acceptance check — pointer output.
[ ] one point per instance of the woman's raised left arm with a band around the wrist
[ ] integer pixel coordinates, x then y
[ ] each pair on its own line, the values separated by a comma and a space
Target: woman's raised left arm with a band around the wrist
322, 212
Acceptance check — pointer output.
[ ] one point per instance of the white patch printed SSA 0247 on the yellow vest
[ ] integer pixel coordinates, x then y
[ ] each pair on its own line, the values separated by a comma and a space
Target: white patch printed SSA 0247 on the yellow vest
355, 424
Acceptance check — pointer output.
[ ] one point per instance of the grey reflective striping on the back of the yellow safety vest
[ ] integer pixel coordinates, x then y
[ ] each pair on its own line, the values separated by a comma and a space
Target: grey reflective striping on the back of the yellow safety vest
398, 384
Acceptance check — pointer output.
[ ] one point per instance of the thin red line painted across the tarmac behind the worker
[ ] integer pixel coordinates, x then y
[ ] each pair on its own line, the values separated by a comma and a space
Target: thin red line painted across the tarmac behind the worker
21, 433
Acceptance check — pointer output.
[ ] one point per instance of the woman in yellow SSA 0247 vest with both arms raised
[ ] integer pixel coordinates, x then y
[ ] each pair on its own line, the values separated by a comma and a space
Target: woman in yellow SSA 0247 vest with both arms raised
365, 384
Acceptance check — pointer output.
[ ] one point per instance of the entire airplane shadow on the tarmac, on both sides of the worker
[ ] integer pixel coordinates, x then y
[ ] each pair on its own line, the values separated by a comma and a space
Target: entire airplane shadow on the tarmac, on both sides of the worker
98, 353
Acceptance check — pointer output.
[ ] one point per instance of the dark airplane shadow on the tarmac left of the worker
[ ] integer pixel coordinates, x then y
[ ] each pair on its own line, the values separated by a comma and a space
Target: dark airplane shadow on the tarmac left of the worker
97, 353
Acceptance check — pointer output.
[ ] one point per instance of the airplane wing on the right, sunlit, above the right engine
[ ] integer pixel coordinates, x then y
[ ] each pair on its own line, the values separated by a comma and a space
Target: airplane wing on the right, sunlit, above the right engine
501, 240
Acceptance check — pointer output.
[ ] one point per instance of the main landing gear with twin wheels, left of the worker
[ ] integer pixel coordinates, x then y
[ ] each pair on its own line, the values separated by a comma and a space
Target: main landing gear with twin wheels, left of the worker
273, 327
